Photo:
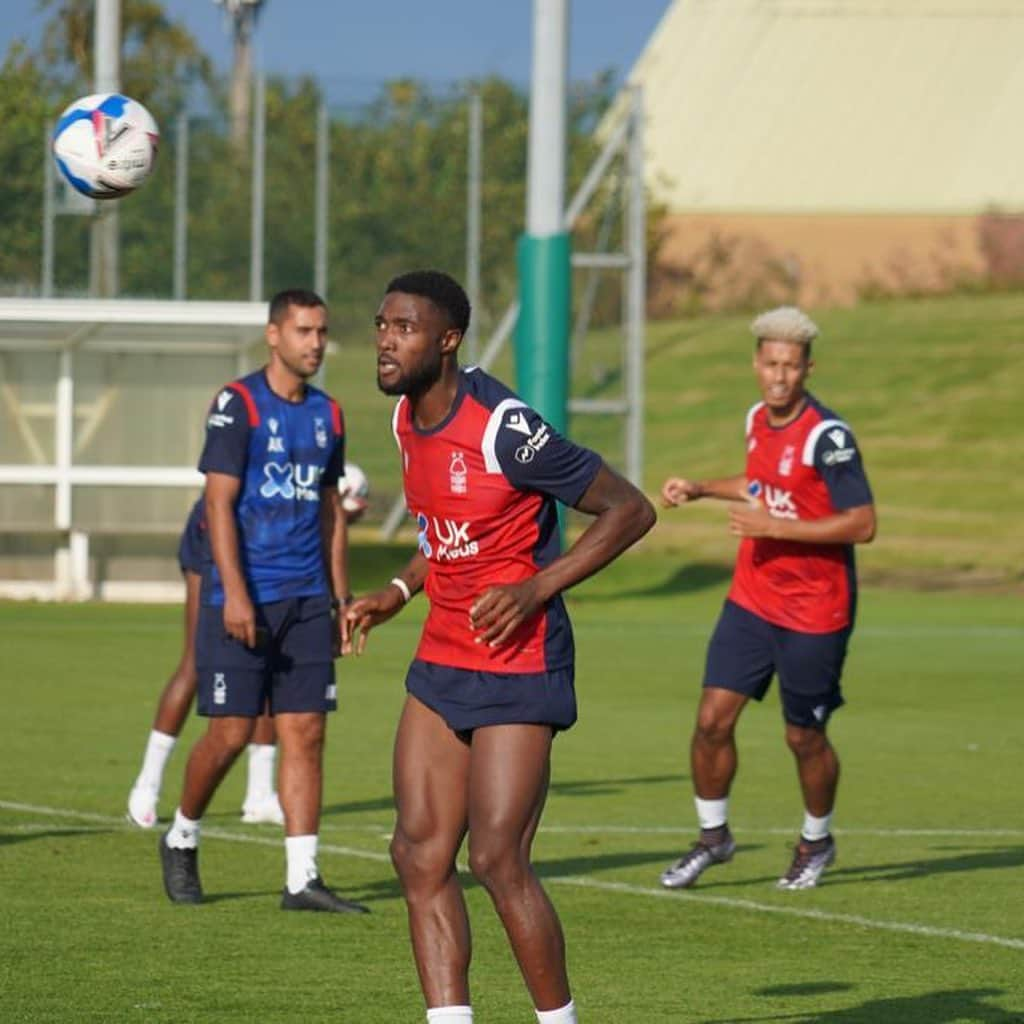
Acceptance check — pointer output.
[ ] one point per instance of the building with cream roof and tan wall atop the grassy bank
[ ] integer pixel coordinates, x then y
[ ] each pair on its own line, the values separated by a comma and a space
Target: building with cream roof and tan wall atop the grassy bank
824, 151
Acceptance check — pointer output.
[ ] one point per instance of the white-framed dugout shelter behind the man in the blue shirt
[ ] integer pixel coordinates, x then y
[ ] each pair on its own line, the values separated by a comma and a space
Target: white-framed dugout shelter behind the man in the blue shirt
103, 409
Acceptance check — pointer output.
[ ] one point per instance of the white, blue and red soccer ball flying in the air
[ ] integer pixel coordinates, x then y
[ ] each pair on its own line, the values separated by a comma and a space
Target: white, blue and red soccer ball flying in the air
106, 145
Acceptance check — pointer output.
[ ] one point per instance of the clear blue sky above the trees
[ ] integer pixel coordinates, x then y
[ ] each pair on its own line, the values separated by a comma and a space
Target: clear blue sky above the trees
353, 46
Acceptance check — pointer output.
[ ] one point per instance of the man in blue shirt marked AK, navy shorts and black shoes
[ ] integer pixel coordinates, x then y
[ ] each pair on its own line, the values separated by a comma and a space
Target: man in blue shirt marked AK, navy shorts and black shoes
267, 636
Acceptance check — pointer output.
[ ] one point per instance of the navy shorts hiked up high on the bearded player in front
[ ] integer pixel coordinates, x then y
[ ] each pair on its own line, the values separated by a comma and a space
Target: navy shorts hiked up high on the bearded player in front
467, 700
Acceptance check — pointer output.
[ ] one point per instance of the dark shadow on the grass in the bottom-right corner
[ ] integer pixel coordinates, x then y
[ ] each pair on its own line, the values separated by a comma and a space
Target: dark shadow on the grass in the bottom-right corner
934, 1008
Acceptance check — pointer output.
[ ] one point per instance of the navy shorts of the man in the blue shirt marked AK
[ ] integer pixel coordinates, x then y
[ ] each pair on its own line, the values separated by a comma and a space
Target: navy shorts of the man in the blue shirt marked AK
291, 668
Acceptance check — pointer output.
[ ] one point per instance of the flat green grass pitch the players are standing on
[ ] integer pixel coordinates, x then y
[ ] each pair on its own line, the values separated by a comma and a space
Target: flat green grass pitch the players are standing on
920, 922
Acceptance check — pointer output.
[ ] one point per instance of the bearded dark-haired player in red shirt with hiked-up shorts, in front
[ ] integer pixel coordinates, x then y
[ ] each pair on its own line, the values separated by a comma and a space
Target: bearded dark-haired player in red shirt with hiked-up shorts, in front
493, 678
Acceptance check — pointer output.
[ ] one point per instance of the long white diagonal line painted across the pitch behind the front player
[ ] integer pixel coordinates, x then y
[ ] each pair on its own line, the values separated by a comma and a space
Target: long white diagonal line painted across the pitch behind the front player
589, 883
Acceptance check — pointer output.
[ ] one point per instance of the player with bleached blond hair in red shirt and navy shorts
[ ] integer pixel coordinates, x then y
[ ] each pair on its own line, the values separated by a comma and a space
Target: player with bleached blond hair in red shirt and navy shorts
801, 506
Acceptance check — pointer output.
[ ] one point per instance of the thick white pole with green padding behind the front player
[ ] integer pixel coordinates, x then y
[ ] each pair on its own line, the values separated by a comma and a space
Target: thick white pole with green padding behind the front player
542, 340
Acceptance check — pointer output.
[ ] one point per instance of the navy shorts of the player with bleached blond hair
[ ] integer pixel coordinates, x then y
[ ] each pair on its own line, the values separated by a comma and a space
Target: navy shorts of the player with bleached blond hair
746, 652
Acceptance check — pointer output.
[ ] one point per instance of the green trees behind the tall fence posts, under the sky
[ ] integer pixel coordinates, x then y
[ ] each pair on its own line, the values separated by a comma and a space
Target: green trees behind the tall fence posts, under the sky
398, 174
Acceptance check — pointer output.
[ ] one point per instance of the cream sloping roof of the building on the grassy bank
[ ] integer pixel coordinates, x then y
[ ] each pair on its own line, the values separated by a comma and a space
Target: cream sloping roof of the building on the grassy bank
836, 106
